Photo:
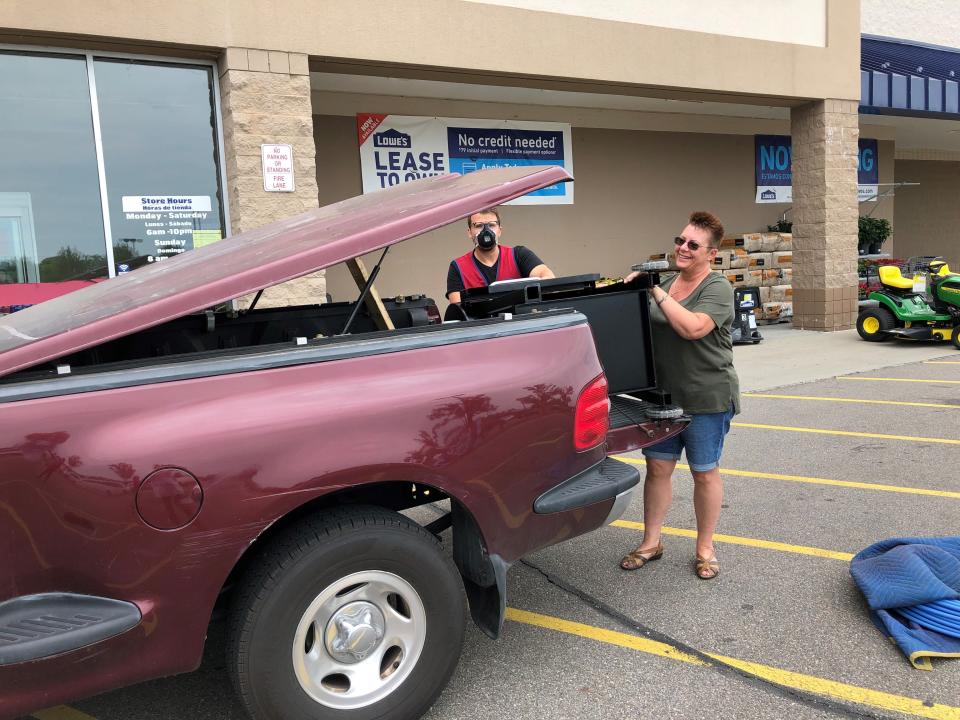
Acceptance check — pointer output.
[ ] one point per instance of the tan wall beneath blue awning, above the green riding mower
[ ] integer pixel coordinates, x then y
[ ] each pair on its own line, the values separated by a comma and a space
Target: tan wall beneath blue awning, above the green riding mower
927, 217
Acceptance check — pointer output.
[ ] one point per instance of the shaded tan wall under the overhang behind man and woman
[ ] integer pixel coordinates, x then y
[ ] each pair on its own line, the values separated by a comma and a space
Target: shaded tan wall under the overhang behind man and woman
634, 190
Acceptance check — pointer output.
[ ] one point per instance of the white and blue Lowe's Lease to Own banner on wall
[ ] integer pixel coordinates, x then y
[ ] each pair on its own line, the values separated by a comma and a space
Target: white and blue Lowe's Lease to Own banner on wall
396, 149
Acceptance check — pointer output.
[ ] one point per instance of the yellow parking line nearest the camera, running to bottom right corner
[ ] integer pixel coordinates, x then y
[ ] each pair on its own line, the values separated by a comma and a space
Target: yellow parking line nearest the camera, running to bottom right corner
784, 678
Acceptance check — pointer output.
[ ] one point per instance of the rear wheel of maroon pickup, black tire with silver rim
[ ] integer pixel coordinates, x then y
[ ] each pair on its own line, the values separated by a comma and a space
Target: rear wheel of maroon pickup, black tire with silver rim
288, 623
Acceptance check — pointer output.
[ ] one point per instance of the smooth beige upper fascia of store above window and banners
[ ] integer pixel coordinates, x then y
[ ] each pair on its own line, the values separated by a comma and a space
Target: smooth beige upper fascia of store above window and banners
539, 47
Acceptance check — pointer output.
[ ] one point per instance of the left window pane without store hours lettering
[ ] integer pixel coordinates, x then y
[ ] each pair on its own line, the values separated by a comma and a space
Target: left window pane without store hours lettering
51, 222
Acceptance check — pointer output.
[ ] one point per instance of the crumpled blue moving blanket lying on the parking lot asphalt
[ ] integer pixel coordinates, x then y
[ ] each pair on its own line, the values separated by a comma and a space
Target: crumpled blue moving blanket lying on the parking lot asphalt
905, 572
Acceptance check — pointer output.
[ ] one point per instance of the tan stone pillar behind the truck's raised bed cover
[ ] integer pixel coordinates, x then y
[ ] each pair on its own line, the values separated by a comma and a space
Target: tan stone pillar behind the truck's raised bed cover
265, 97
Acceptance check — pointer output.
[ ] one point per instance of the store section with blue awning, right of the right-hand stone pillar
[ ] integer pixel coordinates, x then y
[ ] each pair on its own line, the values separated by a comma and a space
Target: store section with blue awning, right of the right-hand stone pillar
910, 83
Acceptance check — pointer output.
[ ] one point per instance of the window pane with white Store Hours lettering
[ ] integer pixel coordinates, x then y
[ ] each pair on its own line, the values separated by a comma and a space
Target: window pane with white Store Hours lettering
160, 158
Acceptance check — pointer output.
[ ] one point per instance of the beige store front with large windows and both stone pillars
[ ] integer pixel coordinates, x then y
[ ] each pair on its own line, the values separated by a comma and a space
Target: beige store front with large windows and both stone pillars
130, 138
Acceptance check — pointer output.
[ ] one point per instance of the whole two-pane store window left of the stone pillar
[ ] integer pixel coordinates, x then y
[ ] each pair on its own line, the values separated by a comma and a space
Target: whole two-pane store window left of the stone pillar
74, 210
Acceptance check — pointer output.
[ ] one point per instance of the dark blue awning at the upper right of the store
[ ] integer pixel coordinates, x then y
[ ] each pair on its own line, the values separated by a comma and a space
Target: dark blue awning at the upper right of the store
898, 77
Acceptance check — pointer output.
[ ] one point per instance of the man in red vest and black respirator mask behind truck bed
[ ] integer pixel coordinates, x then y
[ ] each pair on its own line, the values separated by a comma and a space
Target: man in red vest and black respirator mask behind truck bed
489, 261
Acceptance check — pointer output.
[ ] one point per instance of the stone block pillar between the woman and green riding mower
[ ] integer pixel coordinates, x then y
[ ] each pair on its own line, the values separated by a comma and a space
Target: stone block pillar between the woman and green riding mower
825, 212
